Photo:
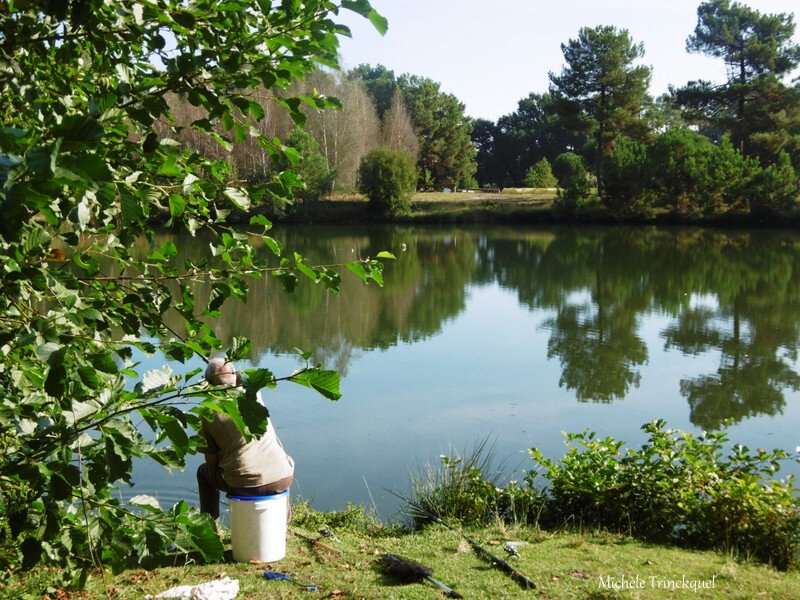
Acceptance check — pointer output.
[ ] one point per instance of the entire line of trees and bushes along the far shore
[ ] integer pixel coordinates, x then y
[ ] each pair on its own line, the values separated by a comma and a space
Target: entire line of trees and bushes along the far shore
596, 133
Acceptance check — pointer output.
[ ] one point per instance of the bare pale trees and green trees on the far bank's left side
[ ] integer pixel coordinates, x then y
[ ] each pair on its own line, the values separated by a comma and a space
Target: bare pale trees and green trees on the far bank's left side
409, 115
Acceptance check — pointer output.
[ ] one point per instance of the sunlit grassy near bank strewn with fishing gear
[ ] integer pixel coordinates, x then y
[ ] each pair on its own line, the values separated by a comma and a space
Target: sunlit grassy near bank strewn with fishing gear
564, 564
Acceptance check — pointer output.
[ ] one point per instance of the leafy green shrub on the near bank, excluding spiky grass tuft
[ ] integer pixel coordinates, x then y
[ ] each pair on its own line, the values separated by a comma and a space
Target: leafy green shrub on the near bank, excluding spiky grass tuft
678, 487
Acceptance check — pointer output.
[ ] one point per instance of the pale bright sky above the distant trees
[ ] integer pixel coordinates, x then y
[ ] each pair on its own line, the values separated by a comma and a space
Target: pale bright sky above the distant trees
491, 54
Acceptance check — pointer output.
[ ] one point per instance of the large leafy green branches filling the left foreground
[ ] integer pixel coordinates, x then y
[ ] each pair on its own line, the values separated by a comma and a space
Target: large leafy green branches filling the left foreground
83, 175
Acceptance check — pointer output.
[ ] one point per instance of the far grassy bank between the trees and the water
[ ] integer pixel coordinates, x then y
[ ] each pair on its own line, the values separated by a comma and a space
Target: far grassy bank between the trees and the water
512, 206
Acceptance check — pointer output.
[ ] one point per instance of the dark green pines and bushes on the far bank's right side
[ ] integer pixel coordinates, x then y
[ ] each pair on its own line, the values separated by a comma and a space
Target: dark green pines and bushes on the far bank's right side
704, 147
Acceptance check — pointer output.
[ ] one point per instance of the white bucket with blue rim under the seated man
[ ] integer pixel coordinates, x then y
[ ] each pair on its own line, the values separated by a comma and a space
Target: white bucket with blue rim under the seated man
258, 527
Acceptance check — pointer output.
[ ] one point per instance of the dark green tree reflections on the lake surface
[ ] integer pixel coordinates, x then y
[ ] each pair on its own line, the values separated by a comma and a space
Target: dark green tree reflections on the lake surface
736, 294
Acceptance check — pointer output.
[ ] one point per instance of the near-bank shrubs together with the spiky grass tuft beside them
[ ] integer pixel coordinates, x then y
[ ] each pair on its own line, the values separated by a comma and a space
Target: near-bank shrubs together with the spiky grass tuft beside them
677, 488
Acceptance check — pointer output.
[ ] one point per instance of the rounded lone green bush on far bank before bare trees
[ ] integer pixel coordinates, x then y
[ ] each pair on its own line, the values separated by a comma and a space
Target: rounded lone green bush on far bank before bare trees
387, 178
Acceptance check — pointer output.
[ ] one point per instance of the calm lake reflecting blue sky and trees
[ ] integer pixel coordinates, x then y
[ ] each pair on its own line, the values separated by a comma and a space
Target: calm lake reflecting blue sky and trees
516, 335
